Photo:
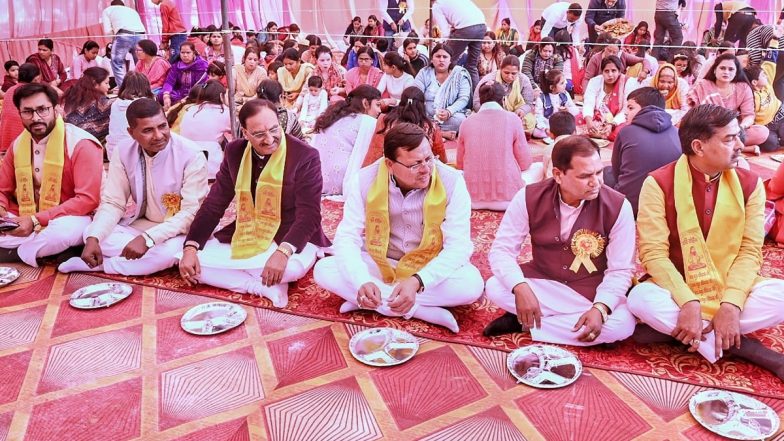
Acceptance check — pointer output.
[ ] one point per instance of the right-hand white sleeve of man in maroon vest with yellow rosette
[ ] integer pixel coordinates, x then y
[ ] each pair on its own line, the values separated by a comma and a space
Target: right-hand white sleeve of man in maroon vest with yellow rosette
620, 259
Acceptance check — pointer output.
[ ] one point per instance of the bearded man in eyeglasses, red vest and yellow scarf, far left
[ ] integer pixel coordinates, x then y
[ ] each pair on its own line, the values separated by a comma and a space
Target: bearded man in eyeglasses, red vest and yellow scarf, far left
50, 180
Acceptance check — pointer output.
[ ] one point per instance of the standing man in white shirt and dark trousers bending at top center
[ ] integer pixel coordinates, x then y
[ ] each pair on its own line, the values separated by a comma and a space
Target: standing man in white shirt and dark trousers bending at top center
462, 23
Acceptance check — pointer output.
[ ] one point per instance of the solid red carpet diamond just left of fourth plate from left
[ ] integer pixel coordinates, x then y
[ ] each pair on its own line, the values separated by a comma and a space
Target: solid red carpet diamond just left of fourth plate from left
305, 355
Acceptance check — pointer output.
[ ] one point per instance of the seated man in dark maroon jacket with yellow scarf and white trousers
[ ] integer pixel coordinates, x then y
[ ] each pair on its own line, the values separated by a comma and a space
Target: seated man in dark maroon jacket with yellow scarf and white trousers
276, 180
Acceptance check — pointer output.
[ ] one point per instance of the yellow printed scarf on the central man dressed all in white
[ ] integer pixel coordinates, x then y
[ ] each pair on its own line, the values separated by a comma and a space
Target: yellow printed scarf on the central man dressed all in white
377, 227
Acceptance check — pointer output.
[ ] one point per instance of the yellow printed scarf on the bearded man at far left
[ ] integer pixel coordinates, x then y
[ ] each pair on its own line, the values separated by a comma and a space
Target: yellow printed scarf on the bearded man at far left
51, 183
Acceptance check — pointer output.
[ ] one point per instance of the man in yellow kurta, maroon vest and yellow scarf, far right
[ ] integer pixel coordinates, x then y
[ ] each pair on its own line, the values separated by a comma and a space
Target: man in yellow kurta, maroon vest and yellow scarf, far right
701, 233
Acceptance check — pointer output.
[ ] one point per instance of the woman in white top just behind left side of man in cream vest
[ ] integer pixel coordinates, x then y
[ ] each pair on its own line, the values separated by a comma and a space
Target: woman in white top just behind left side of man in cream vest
135, 85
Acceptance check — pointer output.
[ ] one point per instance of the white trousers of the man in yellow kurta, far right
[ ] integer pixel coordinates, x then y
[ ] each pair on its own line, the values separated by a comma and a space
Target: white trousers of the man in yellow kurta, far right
656, 308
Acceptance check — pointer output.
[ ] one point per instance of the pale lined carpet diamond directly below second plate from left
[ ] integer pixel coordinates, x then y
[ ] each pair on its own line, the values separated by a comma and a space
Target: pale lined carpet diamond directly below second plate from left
91, 358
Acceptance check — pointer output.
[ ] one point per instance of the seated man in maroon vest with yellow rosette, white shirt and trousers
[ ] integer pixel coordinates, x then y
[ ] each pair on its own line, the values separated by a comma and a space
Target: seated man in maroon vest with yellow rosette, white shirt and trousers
573, 291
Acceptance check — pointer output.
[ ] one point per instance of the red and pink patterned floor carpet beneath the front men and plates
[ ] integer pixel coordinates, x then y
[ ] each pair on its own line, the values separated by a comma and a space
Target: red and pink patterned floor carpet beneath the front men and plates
130, 372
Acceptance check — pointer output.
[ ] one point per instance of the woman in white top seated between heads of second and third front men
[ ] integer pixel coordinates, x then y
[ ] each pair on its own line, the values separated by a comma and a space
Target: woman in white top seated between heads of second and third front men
204, 119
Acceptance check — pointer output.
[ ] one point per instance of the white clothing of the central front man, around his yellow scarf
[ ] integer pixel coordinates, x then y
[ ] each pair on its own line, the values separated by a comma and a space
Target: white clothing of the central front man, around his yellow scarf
449, 278
